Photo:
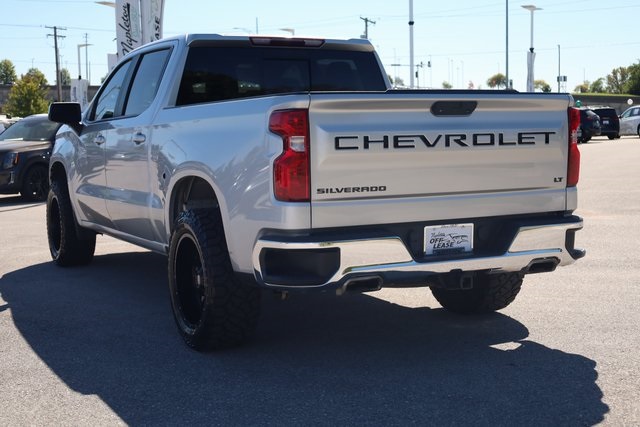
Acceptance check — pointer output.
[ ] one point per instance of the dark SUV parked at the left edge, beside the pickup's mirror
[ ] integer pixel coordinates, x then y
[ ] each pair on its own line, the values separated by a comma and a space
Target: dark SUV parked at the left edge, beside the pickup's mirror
25, 149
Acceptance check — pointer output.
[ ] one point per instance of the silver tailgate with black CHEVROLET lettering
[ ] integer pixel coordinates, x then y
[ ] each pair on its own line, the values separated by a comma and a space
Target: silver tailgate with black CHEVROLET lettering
418, 156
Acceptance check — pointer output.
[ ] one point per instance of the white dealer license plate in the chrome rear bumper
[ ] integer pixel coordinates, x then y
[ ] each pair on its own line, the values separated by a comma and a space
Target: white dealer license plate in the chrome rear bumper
448, 239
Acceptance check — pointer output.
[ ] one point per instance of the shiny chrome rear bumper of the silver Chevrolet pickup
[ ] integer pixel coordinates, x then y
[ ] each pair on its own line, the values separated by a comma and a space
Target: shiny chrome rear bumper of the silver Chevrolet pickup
534, 249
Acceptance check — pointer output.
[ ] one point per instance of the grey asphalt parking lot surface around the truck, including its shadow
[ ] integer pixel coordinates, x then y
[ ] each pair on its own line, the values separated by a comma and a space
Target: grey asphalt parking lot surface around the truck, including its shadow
97, 345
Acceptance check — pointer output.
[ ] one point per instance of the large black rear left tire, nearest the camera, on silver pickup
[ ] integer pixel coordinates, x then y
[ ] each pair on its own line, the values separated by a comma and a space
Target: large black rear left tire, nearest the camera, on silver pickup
212, 308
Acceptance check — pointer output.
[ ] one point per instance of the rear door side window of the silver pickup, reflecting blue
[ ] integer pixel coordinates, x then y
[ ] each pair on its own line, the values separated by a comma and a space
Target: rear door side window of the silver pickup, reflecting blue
146, 82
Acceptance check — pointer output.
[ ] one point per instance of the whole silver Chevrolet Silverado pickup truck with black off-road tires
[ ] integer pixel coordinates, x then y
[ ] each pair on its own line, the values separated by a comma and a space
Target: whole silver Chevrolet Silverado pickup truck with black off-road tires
290, 164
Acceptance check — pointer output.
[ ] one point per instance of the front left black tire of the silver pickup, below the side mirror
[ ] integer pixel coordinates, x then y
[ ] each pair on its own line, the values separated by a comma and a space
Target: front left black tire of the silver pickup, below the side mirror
66, 246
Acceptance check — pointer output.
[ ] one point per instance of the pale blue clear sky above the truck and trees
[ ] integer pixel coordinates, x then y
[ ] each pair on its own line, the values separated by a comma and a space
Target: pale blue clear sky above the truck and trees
464, 41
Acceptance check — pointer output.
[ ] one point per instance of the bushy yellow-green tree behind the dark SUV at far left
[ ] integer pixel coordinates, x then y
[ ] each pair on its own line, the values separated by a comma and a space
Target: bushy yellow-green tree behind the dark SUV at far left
28, 95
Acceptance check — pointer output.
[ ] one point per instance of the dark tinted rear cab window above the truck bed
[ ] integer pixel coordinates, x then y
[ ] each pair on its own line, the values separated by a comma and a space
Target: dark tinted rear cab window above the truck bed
217, 73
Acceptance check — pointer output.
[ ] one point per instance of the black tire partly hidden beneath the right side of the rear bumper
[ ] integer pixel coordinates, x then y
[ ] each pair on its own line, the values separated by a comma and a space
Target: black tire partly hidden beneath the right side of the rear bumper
490, 292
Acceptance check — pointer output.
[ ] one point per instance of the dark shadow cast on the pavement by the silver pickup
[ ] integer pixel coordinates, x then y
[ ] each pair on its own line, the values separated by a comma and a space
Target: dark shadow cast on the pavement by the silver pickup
107, 330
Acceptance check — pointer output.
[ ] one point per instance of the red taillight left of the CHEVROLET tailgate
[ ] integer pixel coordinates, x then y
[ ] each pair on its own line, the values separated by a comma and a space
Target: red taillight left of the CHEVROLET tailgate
291, 168
